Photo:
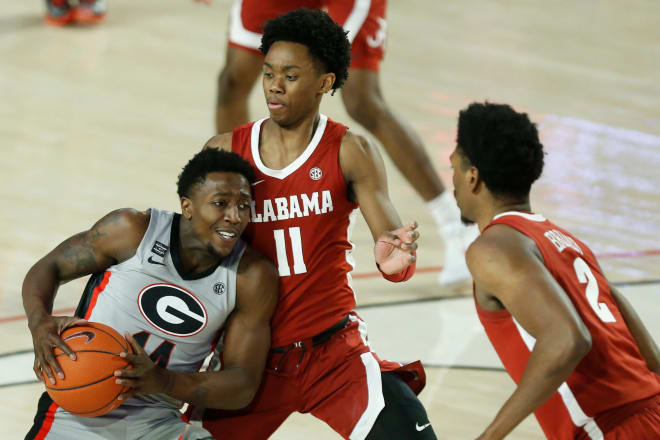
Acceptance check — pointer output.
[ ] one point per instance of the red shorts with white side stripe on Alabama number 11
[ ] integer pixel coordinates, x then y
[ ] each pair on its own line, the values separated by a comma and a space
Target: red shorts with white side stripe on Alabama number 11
337, 381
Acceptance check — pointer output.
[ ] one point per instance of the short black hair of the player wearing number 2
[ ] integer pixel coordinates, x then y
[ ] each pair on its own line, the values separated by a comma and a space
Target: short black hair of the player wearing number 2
503, 145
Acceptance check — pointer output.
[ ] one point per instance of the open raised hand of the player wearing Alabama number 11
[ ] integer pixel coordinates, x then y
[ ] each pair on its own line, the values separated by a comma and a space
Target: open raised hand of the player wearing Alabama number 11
395, 250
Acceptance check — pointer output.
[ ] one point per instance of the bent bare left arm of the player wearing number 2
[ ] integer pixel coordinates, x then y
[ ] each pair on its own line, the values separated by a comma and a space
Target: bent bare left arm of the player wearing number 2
506, 265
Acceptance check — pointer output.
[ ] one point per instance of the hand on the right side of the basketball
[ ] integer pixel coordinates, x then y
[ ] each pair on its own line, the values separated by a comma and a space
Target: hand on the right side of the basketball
144, 377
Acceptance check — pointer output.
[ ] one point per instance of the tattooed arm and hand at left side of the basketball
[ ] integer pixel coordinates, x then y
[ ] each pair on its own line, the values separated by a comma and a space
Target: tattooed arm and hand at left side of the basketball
112, 239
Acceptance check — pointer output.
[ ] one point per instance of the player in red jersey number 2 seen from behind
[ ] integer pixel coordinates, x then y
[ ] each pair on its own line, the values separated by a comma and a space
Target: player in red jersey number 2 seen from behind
583, 361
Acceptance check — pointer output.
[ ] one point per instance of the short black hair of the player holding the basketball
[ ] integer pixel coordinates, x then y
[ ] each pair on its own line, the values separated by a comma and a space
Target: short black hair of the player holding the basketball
211, 160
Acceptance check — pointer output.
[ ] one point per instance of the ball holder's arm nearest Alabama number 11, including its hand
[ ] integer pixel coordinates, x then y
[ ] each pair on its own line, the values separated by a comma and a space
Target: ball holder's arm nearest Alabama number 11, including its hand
247, 342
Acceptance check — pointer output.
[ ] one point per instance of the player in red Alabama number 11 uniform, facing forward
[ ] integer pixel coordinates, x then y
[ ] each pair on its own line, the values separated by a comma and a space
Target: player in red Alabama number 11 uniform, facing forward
312, 175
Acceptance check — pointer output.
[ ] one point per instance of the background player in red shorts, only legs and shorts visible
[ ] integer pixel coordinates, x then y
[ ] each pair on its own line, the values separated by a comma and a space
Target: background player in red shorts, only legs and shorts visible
361, 93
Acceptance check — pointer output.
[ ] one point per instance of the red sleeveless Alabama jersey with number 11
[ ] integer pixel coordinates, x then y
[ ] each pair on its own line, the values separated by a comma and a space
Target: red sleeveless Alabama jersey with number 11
302, 219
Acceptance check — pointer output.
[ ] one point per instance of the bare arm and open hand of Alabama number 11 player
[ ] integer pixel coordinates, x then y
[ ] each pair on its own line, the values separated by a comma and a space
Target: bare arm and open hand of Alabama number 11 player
364, 172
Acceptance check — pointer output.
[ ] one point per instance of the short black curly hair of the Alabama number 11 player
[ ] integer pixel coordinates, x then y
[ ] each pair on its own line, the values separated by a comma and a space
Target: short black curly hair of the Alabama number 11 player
325, 39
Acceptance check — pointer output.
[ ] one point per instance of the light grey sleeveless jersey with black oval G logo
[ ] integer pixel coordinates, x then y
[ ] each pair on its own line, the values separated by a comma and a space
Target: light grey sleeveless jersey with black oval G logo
176, 317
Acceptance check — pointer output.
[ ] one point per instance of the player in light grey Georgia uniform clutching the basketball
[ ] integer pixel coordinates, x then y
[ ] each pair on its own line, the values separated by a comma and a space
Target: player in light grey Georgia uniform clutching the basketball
195, 264
